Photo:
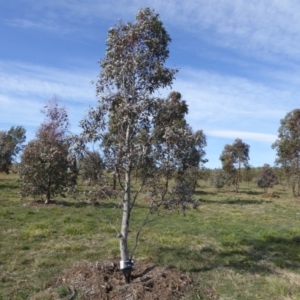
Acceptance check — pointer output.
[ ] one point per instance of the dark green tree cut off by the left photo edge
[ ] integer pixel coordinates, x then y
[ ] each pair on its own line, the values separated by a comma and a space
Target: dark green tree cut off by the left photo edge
11, 144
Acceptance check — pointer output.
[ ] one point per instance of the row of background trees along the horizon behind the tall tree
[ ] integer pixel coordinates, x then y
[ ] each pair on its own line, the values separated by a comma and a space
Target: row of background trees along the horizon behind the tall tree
90, 165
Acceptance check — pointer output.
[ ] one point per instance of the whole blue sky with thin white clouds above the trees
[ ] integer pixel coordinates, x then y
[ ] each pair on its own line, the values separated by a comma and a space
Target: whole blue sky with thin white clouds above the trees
238, 60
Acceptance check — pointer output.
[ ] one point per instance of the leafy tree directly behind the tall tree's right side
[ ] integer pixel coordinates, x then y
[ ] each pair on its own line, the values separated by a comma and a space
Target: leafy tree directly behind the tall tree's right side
181, 149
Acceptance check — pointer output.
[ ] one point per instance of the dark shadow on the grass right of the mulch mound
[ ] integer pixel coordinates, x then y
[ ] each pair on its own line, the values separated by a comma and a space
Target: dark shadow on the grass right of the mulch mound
262, 256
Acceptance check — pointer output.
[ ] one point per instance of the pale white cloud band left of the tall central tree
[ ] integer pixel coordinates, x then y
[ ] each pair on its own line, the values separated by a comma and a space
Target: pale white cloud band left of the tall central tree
25, 88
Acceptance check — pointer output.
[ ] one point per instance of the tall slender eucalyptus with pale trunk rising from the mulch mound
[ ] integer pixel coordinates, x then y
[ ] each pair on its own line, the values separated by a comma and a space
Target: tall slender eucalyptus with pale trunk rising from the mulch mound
124, 122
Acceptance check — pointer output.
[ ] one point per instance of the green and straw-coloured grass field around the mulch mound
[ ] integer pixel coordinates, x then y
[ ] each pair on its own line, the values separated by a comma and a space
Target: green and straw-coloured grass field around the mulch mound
235, 246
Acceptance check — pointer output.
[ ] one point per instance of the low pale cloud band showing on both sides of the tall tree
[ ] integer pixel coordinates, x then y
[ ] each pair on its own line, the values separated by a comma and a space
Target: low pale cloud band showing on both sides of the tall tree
215, 101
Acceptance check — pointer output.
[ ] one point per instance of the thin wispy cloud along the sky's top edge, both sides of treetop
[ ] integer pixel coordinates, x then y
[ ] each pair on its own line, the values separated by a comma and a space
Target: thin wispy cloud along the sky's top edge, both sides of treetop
261, 28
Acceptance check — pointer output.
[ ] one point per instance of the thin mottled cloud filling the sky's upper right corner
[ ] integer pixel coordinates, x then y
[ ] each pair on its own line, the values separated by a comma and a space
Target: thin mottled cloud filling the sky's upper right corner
267, 28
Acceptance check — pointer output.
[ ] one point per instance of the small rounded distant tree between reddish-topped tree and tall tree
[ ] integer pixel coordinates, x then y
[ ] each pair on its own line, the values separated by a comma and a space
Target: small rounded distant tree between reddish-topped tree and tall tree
91, 167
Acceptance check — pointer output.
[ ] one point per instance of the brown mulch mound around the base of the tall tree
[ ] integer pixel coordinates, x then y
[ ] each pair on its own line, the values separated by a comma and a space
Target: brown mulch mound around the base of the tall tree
105, 281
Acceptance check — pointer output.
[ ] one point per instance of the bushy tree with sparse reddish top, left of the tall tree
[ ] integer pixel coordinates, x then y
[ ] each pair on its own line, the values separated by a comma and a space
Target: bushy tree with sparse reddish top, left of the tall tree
47, 167
